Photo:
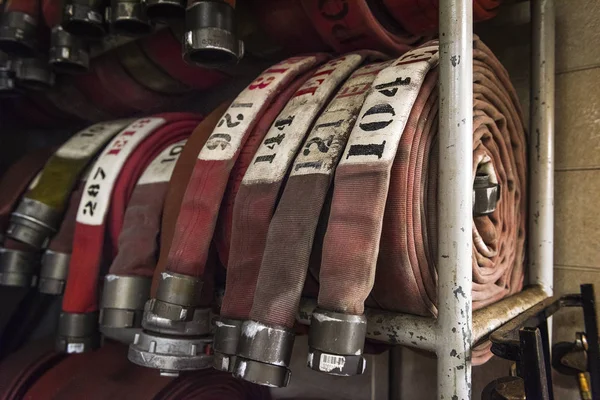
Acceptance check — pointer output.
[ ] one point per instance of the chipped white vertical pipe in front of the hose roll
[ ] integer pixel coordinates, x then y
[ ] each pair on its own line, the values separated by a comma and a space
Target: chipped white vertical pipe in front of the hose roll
455, 199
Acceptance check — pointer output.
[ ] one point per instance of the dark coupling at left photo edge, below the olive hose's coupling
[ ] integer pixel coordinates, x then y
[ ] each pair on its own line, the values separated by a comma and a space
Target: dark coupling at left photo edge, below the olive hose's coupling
18, 268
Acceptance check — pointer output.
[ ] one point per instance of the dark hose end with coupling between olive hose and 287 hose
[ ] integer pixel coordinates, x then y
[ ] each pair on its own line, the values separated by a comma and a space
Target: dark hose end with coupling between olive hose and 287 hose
56, 258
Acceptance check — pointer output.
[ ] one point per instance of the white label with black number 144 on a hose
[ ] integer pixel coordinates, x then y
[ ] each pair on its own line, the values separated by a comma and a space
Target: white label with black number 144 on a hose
278, 149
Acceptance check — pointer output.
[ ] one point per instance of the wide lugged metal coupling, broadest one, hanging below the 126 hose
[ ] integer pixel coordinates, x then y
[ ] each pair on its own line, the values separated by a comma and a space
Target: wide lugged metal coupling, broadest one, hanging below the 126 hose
170, 354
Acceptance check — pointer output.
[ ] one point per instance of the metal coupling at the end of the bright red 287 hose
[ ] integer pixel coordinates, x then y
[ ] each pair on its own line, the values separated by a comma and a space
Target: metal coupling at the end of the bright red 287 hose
77, 333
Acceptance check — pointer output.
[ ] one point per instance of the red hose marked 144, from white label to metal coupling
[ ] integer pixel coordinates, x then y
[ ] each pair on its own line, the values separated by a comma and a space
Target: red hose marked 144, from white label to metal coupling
254, 206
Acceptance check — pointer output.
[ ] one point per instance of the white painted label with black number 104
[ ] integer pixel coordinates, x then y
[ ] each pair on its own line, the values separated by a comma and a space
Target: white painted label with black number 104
383, 117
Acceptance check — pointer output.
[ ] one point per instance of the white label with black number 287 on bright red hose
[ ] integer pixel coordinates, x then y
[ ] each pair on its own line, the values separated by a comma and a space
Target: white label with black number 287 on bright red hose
103, 175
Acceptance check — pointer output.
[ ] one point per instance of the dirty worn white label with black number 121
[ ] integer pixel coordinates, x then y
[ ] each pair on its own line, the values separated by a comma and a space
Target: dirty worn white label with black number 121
324, 145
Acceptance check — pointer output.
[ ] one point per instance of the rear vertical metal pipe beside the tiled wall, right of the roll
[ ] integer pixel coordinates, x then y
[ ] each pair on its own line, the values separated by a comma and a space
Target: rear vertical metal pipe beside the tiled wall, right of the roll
541, 145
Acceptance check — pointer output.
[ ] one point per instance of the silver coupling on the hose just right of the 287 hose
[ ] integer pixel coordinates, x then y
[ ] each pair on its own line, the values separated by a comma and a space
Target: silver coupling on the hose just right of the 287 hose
122, 306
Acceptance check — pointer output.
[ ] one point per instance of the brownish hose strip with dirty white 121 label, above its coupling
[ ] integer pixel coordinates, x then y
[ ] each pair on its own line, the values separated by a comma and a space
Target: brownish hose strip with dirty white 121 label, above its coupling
289, 242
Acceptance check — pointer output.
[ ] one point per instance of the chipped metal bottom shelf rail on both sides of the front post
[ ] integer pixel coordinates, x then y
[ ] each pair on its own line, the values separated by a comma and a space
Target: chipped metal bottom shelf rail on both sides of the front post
420, 332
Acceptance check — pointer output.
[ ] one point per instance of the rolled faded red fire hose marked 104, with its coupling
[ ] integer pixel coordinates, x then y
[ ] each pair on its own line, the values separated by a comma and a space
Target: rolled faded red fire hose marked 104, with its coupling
401, 114
